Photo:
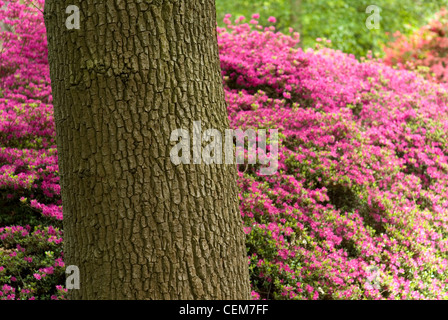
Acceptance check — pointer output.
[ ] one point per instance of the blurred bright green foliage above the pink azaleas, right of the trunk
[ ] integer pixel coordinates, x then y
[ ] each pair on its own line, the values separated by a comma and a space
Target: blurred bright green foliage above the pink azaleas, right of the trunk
341, 21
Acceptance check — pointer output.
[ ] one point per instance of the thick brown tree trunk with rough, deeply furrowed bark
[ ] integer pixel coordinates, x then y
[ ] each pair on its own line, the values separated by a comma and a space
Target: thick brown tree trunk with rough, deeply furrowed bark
136, 225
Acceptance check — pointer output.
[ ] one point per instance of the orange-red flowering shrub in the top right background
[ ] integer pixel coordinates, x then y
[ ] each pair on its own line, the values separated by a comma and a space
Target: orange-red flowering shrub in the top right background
425, 51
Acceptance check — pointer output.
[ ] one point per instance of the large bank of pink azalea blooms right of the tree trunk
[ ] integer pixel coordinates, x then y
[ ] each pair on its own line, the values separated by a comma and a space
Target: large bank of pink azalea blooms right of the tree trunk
362, 179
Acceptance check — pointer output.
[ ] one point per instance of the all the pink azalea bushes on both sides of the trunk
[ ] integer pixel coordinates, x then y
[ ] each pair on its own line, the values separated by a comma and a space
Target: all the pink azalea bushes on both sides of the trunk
361, 183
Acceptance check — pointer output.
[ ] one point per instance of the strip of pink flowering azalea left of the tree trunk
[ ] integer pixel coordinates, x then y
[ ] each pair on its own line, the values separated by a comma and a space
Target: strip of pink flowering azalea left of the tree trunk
31, 265
